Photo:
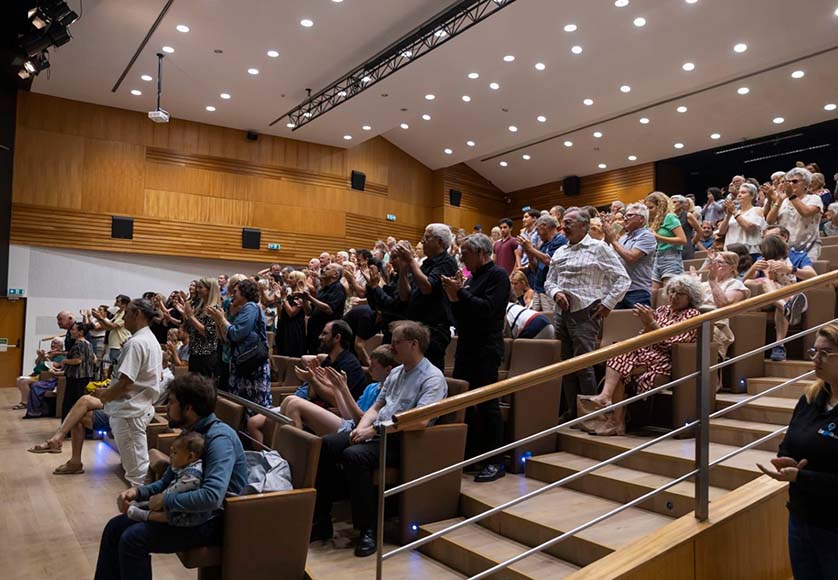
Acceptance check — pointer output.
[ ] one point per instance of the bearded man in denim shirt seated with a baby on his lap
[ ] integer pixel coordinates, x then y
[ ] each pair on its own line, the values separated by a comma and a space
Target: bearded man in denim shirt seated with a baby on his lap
126, 546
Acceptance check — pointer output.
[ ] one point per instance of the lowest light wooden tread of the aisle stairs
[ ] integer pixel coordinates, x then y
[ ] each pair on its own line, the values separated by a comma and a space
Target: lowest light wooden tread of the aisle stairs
497, 549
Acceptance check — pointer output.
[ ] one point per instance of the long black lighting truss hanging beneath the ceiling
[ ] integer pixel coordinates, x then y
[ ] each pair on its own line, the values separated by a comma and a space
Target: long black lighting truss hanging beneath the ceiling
453, 21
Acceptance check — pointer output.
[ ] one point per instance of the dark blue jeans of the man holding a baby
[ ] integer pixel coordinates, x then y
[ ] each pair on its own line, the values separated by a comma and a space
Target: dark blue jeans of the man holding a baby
126, 546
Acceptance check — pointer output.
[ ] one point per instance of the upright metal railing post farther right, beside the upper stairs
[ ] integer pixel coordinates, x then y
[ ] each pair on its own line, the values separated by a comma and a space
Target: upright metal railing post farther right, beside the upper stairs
702, 434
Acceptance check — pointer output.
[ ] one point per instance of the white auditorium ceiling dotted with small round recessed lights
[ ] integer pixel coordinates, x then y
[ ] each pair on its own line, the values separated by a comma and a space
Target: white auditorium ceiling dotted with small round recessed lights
615, 52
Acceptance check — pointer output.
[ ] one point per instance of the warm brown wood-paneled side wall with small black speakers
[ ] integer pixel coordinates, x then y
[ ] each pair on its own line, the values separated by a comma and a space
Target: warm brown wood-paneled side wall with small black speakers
191, 187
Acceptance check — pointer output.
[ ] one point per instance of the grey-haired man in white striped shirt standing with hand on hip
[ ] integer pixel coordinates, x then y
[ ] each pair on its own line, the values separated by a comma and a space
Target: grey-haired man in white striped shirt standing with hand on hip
586, 279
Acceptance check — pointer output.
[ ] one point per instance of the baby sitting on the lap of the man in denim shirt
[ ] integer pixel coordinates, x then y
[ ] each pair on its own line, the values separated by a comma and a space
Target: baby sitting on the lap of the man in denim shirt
185, 473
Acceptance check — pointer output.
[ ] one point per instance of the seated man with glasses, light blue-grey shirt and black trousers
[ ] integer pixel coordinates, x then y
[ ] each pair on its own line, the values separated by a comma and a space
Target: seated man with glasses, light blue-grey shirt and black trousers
414, 383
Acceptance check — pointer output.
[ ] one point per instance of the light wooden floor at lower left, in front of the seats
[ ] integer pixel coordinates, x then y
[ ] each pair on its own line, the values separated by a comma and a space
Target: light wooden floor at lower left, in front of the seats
50, 524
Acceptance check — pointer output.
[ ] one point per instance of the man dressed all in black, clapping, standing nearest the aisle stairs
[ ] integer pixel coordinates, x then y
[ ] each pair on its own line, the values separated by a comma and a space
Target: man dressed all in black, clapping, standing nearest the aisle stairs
479, 308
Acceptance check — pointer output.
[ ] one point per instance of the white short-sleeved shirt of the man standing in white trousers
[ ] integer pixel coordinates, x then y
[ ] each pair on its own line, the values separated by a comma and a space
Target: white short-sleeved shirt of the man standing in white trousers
140, 360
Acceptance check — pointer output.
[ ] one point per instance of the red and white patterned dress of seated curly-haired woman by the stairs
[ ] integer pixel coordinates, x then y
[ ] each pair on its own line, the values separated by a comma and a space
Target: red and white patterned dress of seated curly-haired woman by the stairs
658, 357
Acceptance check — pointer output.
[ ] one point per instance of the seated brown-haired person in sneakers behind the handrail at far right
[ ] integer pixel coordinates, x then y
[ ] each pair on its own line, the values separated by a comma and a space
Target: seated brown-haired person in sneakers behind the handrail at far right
774, 270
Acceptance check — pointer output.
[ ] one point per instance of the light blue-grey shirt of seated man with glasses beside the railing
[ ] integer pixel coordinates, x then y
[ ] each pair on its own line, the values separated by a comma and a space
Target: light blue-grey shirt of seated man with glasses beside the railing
403, 390
